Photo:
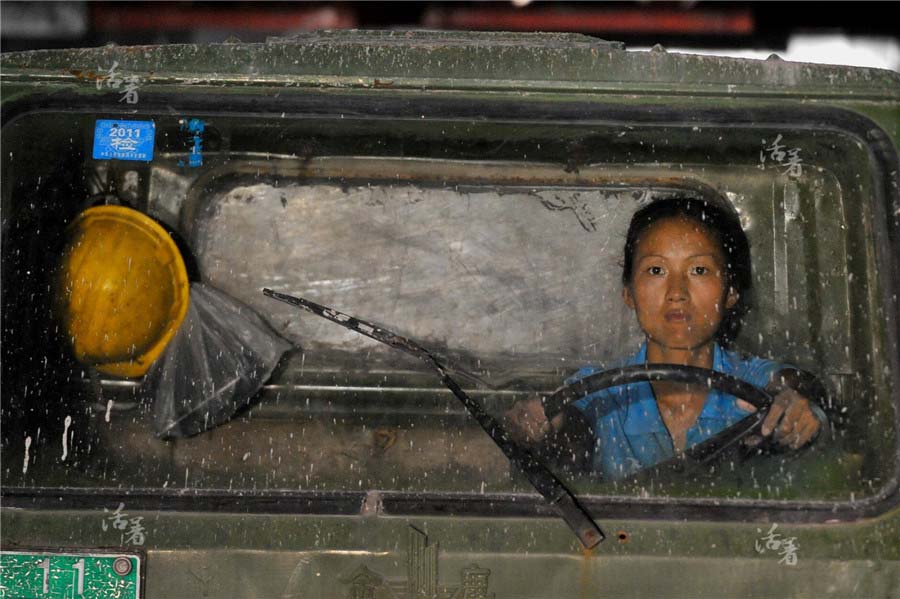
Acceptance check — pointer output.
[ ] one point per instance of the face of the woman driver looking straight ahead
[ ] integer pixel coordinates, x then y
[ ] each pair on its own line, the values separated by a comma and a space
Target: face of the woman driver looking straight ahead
678, 285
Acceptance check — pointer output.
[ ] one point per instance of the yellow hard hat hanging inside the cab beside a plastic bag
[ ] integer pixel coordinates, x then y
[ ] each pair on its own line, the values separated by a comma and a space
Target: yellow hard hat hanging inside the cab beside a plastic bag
122, 290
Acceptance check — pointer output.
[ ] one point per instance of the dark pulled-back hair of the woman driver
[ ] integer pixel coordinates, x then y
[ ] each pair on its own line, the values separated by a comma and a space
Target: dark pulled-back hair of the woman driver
722, 222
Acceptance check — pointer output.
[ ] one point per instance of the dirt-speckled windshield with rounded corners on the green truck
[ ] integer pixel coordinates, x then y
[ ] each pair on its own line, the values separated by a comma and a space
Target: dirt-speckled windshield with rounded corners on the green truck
498, 245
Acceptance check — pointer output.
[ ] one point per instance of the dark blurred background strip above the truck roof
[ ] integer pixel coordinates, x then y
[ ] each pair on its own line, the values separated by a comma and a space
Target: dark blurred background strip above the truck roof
763, 26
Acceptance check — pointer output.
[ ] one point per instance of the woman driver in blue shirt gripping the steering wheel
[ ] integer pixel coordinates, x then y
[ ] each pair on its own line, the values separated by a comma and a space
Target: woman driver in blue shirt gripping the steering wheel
686, 266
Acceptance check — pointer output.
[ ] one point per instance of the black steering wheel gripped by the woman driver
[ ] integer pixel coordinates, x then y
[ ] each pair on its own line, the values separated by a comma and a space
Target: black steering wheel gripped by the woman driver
702, 452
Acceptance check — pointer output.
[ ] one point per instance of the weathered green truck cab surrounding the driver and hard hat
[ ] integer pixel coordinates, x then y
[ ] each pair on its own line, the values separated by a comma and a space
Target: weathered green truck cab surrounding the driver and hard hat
470, 192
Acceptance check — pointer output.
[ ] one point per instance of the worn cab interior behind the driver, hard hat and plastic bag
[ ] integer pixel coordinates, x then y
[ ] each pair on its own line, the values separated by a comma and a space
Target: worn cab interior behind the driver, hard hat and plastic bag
497, 246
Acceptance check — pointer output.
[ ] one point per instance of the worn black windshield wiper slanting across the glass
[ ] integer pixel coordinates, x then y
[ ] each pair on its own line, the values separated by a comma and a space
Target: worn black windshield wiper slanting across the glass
542, 479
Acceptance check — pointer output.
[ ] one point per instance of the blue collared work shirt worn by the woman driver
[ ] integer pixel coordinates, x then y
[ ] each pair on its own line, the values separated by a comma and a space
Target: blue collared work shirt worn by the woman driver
629, 433
